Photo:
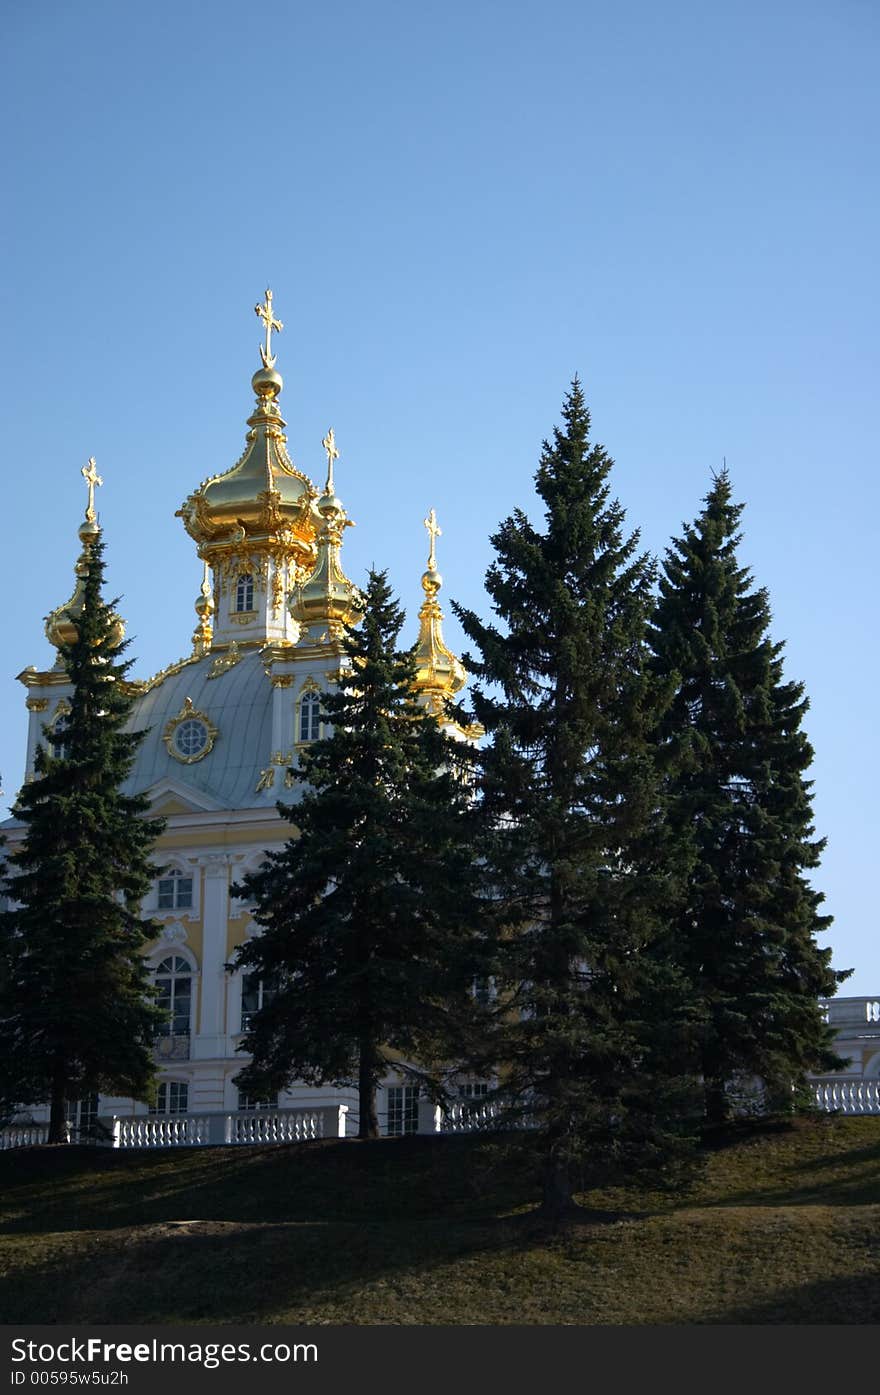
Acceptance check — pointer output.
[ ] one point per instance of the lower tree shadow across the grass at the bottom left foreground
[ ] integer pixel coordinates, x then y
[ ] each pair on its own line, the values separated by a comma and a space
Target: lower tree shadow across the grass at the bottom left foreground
203, 1272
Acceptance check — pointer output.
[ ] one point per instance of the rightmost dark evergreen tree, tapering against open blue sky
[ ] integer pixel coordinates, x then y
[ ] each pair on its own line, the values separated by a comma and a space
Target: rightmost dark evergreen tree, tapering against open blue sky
736, 760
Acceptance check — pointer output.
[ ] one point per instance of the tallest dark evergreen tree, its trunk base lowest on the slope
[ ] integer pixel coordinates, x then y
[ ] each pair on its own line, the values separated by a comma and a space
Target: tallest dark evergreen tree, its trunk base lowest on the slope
589, 1025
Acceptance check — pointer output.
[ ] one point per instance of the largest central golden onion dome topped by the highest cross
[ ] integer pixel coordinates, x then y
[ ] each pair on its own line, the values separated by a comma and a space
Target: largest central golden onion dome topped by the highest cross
263, 503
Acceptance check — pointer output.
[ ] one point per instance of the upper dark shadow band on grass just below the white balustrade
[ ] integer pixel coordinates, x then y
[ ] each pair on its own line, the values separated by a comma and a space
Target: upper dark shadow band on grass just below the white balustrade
89, 1189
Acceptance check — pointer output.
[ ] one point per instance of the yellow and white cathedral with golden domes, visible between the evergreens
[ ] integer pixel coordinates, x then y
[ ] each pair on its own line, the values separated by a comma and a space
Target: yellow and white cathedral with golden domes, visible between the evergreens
225, 726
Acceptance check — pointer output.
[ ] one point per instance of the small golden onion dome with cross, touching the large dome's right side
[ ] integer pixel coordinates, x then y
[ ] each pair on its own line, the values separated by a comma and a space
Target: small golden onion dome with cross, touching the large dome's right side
328, 599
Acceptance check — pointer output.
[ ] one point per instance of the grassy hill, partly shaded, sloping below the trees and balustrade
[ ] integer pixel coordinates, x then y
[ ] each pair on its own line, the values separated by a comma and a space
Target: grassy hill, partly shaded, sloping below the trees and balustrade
777, 1226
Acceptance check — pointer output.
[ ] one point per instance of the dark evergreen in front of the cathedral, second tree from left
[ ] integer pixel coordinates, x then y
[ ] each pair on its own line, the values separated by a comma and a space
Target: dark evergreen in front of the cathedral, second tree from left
369, 910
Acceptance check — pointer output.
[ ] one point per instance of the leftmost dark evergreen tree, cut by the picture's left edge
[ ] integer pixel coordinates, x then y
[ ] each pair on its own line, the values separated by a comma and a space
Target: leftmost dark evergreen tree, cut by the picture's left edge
77, 1013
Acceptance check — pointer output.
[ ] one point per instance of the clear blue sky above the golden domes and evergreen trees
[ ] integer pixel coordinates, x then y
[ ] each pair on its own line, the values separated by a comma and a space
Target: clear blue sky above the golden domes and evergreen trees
458, 207
